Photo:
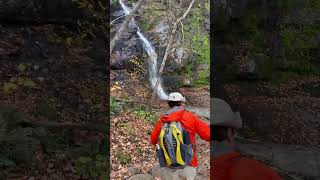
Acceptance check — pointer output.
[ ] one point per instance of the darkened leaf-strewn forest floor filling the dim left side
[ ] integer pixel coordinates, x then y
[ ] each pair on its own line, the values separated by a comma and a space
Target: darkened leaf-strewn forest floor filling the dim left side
52, 80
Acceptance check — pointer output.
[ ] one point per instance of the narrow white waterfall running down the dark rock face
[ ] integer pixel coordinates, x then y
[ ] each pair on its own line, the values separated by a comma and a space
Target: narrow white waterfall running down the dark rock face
152, 55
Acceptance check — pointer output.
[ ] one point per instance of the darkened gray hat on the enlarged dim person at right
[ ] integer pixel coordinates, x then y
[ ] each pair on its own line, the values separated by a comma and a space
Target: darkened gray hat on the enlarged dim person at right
222, 114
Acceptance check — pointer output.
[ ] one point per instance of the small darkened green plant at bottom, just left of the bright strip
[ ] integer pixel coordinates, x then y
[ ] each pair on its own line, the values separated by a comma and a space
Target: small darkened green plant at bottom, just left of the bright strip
92, 167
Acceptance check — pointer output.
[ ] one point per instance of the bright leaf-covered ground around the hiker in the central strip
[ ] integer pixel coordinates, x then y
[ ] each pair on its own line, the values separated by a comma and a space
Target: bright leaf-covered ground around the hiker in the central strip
131, 150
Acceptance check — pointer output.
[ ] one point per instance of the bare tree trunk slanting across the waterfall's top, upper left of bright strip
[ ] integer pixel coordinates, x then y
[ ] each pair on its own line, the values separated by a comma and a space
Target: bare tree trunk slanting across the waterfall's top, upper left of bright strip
124, 25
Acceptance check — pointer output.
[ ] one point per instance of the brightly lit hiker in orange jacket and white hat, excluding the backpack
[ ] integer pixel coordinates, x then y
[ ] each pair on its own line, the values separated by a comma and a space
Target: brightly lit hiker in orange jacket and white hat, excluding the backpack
190, 123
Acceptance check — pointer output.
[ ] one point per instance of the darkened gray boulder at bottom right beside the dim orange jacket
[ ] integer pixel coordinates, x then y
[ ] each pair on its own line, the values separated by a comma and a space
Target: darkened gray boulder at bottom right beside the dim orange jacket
293, 159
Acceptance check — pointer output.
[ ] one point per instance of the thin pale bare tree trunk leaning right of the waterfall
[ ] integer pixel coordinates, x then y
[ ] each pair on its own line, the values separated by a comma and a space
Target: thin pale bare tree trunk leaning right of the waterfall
168, 48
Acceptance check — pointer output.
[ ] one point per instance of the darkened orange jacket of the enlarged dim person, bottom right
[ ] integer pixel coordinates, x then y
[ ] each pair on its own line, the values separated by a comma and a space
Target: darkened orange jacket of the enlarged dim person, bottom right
234, 166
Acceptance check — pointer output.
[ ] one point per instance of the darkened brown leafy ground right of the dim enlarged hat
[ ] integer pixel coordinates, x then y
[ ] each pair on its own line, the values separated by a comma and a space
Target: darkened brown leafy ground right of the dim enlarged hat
286, 113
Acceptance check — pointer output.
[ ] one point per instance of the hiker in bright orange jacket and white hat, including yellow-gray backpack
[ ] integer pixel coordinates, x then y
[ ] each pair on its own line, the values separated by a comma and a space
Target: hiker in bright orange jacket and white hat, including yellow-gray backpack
174, 135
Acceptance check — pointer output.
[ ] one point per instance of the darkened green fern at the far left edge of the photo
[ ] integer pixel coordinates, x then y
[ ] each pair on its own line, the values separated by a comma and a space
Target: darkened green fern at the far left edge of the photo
17, 144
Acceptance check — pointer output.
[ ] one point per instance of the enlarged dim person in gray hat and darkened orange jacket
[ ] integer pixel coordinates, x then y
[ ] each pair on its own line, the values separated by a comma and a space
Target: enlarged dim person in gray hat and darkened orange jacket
227, 163
